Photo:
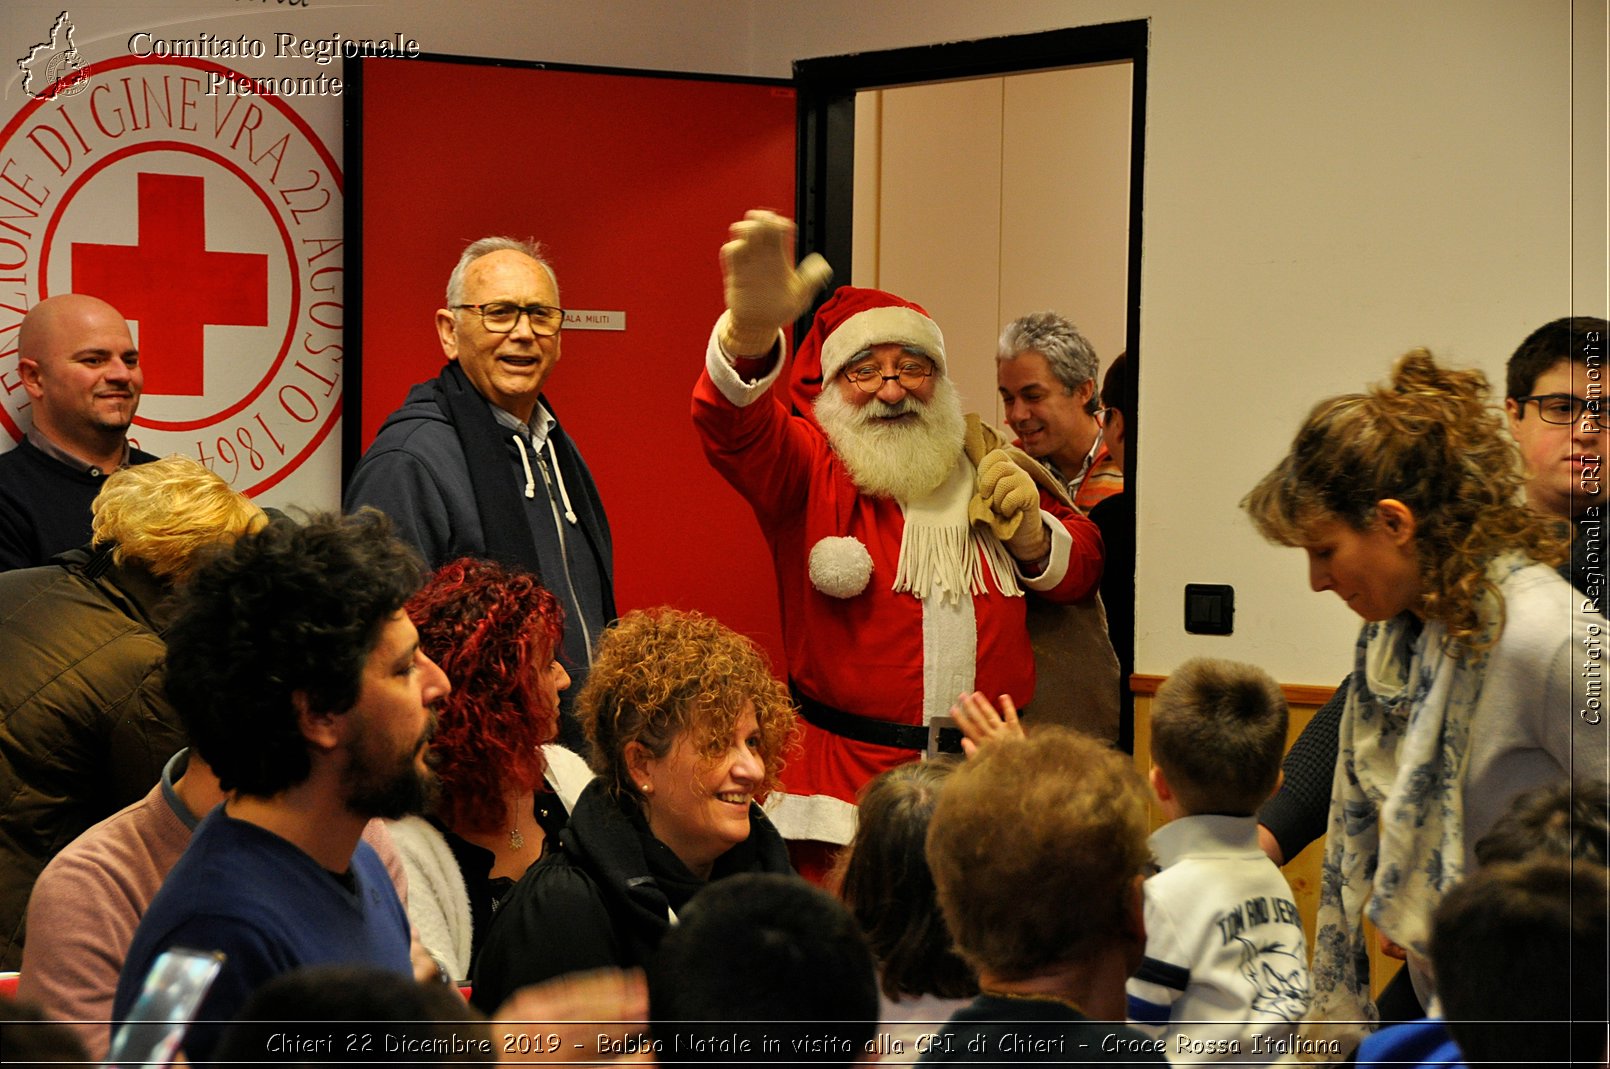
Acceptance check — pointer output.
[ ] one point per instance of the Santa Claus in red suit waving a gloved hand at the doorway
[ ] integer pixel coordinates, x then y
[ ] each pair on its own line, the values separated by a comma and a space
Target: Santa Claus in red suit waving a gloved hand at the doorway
904, 534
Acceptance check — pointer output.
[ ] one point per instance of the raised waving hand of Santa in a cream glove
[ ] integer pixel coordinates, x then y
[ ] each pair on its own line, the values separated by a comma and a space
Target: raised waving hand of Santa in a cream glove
764, 289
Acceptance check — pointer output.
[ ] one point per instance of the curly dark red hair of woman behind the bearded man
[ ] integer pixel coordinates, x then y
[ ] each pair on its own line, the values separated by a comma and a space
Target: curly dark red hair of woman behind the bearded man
493, 632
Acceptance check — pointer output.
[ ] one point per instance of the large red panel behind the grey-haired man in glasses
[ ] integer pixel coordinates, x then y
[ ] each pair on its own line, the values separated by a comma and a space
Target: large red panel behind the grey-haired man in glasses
632, 183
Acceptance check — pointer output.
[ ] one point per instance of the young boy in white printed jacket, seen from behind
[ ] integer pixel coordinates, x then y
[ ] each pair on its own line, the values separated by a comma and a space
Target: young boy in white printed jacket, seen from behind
1226, 972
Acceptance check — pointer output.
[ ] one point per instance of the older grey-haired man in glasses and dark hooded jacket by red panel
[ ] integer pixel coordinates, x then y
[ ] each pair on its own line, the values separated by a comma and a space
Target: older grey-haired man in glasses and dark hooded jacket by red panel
476, 464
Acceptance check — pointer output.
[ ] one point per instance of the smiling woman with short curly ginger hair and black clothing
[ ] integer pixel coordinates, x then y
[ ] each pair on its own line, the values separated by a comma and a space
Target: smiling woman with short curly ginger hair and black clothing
688, 730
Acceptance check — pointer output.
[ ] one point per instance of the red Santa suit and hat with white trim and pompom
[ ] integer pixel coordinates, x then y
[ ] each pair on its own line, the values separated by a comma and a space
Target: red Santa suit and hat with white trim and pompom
857, 643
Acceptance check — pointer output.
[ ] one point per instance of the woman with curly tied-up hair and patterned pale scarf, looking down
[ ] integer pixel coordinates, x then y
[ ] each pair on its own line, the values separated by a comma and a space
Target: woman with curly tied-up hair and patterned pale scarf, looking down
1408, 501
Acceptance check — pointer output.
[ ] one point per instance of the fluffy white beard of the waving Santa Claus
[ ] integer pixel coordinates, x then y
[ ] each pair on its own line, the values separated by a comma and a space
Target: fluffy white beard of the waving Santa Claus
906, 460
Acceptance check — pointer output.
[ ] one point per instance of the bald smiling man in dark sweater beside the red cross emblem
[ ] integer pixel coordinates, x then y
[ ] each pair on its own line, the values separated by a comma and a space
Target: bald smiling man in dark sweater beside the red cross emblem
83, 378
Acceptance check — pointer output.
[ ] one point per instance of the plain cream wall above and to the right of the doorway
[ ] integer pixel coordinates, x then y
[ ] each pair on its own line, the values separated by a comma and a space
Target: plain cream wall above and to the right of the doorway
1327, 184
